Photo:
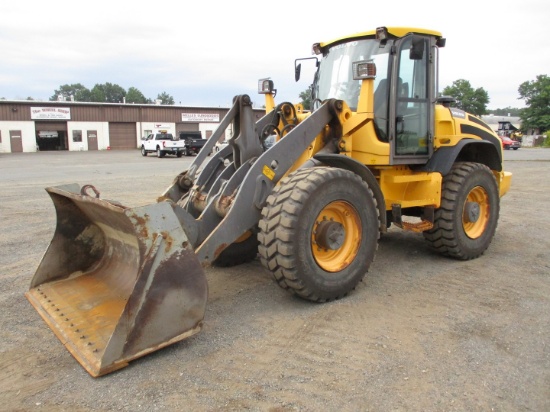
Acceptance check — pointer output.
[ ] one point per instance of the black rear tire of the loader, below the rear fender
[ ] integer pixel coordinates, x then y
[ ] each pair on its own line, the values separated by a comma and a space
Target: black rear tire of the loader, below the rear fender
448, 236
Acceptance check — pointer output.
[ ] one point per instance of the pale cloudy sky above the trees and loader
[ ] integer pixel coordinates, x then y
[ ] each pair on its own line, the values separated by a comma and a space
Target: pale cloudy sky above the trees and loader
205, 52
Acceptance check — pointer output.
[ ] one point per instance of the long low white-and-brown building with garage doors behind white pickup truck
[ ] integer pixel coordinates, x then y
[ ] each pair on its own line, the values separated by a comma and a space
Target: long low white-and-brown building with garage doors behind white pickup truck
30, 126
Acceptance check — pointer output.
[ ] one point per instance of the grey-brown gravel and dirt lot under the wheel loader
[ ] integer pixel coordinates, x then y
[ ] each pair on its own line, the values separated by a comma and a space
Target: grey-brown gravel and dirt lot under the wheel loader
421, 333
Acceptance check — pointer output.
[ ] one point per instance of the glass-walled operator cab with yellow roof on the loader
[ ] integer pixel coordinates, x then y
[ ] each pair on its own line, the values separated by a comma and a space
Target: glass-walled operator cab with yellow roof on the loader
405, 85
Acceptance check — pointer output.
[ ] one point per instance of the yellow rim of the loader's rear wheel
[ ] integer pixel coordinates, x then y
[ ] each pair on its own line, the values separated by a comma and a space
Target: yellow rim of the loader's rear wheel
476, 212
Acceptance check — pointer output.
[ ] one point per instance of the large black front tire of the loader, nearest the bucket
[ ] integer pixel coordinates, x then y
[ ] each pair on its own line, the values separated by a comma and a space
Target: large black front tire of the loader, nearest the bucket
287, 229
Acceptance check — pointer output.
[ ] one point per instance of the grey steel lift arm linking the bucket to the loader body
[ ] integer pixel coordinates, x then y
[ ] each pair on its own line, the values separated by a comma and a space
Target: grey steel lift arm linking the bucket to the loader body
226, 201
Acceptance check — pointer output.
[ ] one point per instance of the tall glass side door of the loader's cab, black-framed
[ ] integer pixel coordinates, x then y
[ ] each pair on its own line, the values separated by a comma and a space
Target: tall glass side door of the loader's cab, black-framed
411, 111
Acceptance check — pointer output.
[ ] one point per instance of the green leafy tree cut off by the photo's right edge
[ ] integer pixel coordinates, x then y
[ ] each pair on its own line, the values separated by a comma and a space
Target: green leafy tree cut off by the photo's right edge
536, 94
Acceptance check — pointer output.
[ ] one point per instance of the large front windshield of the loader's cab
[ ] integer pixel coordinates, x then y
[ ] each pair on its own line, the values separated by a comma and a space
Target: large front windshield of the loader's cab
334, 79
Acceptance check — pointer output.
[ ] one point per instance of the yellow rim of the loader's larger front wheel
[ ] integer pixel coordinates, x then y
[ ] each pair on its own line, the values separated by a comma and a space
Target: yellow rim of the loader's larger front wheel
336, 236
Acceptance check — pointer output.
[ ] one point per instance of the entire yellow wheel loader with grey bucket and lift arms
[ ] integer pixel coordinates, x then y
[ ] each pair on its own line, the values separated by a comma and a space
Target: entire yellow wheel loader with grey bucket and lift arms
379, 147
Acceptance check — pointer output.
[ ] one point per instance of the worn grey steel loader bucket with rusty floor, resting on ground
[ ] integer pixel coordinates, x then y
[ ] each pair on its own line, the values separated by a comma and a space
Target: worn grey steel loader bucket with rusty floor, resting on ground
117, 283
